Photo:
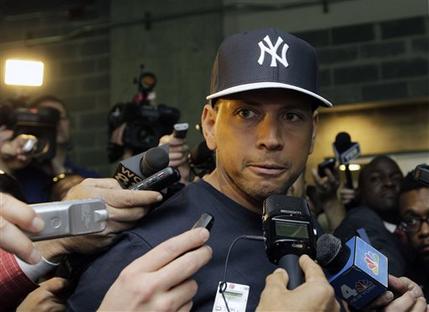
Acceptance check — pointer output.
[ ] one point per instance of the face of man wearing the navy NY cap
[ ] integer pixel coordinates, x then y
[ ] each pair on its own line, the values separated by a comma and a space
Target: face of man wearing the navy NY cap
262, 139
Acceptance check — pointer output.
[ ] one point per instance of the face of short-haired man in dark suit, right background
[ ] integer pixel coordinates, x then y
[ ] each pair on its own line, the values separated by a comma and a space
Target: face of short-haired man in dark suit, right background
380, 187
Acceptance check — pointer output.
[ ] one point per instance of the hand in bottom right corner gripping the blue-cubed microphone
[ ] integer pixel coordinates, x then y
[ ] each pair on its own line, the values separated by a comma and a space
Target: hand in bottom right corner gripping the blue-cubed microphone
409, 297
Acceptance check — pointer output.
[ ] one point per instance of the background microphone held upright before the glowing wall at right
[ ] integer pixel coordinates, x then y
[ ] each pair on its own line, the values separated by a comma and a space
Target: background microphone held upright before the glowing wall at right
345, 151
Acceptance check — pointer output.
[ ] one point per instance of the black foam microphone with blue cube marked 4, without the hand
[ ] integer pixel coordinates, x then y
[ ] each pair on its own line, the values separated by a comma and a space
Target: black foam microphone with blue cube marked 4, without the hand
356, 270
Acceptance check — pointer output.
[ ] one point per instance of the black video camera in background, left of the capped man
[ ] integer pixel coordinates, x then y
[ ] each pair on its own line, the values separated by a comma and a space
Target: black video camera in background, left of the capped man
145, 123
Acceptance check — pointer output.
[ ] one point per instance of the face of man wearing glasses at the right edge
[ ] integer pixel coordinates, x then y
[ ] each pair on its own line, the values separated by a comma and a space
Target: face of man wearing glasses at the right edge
414, 204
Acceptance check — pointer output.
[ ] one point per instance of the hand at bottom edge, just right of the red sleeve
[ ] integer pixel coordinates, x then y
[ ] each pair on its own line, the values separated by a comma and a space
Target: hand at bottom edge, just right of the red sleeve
45, 297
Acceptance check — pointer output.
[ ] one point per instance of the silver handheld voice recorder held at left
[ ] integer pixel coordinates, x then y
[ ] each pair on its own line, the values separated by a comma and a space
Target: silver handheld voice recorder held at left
70, 218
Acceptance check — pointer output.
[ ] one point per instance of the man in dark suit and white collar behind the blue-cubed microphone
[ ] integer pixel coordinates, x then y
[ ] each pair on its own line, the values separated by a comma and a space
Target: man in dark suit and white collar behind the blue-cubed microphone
377, 216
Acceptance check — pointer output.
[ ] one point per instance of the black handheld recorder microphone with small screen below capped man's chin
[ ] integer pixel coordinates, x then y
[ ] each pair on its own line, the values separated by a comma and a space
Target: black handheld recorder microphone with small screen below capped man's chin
289, 233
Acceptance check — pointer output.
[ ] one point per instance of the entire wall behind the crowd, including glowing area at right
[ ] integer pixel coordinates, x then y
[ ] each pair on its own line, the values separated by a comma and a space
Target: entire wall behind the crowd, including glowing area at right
374, 63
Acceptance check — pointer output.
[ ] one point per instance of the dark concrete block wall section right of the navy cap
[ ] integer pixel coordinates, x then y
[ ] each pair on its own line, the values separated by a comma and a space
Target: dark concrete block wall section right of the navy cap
373, 61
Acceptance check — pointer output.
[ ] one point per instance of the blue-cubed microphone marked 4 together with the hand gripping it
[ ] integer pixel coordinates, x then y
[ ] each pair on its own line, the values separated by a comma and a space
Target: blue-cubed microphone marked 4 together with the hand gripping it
358, 272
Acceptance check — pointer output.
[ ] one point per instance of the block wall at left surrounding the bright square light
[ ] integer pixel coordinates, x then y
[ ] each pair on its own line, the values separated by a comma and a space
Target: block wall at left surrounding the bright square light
77, 71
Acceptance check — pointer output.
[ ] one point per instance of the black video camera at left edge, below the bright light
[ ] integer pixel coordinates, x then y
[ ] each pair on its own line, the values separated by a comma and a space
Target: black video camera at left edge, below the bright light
38, 124
